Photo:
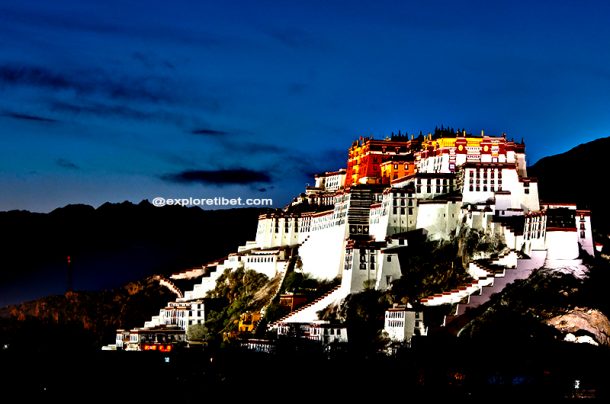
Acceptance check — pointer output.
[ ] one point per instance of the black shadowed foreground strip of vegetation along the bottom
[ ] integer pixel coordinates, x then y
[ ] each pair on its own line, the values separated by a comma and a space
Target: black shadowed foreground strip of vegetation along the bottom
433, 369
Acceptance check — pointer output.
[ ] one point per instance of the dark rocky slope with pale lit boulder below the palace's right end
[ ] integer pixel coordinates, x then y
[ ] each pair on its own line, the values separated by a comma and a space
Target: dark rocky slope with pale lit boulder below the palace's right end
547, 306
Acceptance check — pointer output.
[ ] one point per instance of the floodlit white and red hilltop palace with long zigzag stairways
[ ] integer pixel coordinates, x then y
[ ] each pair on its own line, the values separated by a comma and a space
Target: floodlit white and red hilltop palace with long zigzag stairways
353, 223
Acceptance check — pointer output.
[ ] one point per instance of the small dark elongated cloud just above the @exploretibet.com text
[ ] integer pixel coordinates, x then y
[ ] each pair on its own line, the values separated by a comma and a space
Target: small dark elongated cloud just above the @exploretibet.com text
234, 176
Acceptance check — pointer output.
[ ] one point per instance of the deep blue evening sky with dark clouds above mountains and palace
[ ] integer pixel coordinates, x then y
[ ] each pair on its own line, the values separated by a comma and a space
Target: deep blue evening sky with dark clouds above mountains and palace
123, 100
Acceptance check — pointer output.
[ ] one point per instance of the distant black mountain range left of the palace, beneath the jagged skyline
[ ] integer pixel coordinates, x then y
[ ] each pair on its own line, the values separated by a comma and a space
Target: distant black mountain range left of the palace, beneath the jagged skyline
111, 245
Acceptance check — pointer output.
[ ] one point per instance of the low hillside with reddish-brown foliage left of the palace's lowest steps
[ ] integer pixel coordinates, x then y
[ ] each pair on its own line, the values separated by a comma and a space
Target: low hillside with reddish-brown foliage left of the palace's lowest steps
80, 321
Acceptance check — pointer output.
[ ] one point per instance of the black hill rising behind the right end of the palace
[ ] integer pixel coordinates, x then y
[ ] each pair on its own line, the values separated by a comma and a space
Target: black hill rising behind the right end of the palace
575, 176
